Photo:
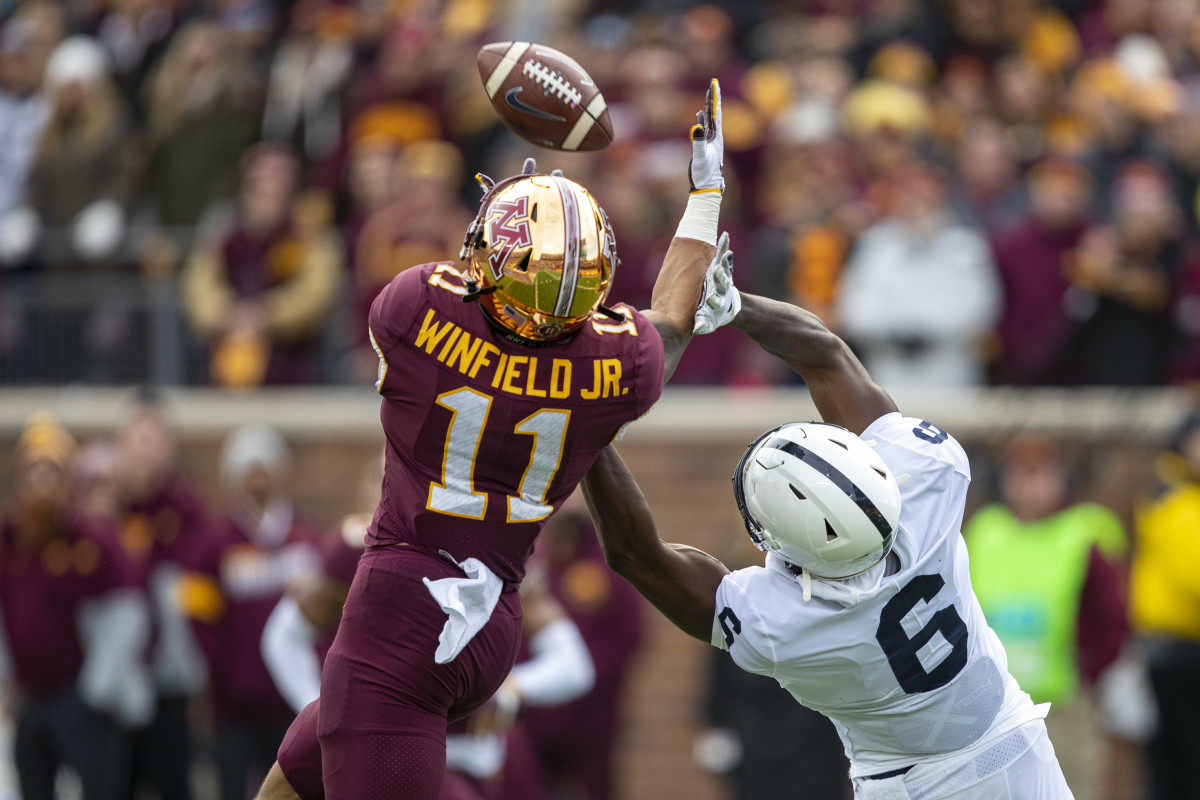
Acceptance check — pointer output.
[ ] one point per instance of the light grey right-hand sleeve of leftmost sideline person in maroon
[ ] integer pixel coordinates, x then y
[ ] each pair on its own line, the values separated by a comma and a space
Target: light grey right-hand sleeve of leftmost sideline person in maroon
115, 629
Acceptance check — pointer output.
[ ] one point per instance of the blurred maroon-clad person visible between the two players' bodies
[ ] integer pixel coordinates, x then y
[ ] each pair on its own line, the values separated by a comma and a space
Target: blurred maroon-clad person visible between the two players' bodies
575, 742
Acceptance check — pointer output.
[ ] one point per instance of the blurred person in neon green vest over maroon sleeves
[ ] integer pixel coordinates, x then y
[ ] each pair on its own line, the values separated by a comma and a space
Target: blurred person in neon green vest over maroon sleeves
1045, 570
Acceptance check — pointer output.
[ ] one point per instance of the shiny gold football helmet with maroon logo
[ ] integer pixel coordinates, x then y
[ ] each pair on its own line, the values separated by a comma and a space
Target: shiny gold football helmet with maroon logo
541, 255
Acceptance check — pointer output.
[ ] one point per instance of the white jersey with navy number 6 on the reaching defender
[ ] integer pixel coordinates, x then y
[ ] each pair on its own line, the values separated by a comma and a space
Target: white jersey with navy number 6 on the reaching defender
901, 657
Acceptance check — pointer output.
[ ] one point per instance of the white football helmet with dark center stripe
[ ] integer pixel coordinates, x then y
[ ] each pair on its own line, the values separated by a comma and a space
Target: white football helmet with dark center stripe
820, 497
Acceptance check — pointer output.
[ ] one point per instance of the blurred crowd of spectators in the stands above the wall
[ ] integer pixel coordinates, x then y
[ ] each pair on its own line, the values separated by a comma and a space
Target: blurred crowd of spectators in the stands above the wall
970, 191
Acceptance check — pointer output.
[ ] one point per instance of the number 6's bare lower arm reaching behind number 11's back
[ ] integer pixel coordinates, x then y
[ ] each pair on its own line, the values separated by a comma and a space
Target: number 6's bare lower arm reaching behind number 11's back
679, 580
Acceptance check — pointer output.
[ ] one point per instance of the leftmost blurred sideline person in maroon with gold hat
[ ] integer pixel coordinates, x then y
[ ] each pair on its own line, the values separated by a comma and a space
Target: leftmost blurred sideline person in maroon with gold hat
75, 623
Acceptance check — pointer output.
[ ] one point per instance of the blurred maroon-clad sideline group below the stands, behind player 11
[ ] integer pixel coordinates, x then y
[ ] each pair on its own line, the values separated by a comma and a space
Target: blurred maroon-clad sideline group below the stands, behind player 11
141, 652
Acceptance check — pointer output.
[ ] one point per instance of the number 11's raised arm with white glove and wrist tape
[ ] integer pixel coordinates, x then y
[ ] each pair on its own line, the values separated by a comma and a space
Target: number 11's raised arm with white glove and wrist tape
677, 291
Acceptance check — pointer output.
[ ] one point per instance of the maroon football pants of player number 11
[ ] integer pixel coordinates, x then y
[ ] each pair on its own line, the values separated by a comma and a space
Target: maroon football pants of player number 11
382, 719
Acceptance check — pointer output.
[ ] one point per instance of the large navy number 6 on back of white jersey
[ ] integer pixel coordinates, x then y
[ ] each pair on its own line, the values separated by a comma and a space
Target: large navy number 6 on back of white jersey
902, 649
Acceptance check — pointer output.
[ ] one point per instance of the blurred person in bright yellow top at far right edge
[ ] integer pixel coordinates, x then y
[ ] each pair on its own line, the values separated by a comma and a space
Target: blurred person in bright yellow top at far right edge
1165, 610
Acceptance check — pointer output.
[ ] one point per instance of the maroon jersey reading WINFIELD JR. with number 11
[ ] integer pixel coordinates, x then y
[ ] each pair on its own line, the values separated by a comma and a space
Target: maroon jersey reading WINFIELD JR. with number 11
488, 436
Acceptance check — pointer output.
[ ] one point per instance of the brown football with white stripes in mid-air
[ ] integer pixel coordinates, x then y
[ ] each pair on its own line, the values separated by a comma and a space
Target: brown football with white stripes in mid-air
544, 97
